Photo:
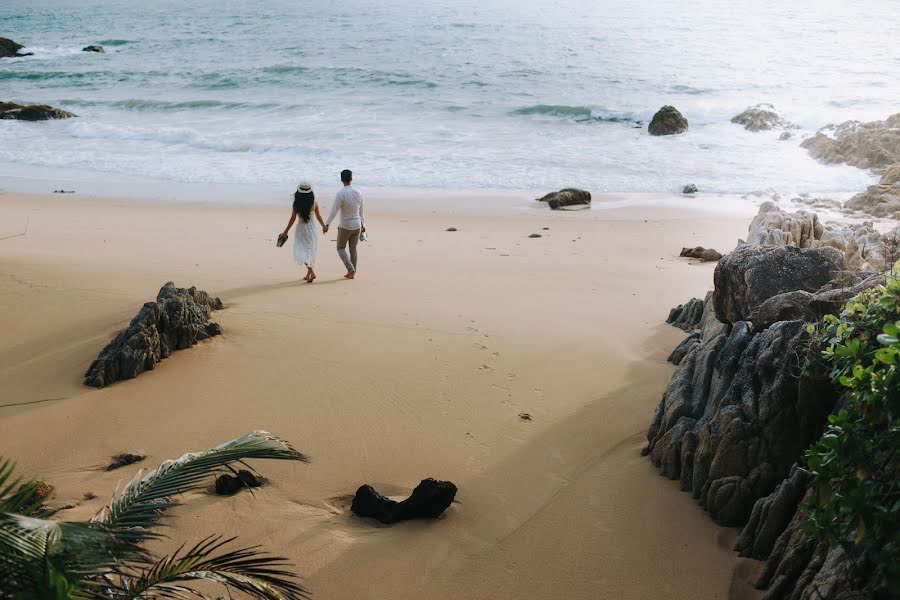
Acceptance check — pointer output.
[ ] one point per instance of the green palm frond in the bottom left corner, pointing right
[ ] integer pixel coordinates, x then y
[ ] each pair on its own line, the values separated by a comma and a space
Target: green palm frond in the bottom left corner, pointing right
31, 549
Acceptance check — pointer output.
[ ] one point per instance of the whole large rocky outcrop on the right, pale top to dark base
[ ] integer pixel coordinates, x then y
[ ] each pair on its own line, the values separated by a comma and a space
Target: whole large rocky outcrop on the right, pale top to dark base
739, 411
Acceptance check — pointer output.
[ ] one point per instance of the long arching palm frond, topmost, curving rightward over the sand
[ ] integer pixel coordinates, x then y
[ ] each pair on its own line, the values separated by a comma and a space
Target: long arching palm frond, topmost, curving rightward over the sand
140, 505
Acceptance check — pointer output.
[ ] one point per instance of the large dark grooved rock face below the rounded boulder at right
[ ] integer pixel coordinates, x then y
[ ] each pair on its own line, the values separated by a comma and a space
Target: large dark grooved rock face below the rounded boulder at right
736, 416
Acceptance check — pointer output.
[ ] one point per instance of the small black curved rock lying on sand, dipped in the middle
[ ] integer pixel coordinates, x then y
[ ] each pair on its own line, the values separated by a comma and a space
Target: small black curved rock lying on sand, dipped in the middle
428, 500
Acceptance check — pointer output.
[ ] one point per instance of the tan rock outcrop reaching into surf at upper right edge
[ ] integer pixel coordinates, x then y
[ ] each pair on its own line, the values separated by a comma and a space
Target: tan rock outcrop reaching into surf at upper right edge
874, 145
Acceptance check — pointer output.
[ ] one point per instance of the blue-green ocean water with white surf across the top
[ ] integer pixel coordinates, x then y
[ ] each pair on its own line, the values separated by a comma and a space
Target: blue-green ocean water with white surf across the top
461, 94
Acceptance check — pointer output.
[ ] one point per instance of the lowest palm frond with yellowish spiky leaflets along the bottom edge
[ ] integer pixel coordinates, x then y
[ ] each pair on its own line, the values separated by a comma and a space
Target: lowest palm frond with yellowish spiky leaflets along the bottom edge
246, 570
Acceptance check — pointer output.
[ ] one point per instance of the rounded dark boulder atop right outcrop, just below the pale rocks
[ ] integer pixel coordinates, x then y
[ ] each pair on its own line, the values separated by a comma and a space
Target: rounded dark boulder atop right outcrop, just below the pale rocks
750, 275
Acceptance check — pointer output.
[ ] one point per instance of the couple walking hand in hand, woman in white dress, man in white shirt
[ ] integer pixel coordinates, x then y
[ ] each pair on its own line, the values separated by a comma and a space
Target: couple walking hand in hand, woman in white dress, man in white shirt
351, 229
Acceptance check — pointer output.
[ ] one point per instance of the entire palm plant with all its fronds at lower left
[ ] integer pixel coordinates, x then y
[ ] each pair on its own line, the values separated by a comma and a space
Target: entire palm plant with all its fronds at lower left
42, 559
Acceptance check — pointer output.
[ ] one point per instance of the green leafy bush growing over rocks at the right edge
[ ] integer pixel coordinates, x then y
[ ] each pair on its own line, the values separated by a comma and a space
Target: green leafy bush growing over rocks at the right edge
855, 499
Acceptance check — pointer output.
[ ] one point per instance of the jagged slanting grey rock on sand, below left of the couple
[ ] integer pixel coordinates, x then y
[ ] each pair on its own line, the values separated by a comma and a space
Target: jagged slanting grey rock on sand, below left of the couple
178, 319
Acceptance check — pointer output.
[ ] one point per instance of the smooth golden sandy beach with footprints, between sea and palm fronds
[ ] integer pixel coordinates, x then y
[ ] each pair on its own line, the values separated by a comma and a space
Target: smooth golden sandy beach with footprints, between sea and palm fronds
421, 367
